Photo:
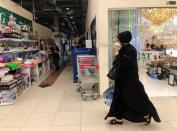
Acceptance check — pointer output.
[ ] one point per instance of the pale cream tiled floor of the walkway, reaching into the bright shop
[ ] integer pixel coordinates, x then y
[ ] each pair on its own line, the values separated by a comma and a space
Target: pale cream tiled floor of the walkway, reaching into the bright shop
59, 108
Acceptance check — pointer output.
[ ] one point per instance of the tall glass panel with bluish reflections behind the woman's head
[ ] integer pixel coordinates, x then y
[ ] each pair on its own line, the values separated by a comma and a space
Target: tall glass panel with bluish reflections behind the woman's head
122, 20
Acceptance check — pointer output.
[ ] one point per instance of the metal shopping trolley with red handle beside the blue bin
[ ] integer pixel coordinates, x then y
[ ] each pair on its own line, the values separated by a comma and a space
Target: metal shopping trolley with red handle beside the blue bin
87, 76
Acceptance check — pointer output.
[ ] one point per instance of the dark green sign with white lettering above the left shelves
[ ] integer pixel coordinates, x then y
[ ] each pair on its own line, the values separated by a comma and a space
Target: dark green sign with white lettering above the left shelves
4, 18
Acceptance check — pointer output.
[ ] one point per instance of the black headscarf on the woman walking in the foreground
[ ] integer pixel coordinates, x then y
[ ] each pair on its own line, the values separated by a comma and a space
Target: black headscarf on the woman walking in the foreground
124, 37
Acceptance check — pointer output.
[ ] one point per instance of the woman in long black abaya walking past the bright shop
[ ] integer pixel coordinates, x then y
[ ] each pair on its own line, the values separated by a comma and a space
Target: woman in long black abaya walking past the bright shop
130, 100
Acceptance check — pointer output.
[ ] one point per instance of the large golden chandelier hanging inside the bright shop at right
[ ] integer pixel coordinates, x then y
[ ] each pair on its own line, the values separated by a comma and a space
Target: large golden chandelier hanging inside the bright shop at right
158, 15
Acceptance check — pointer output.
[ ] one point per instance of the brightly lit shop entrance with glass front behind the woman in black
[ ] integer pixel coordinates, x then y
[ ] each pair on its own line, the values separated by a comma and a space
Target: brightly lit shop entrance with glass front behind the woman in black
154, 33
